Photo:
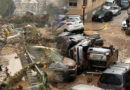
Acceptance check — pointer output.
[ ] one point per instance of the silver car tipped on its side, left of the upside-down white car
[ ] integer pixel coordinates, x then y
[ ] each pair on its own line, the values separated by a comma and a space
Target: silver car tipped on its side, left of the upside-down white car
78, 53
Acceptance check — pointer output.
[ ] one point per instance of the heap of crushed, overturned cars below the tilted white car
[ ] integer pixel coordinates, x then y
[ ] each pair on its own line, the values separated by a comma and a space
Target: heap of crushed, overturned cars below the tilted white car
86, 50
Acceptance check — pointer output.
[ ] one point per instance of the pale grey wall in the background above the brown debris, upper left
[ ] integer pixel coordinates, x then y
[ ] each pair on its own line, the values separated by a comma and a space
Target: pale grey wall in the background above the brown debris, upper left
36, 6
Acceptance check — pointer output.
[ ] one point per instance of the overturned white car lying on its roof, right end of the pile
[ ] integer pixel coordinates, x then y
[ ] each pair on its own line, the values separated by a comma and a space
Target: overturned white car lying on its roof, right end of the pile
102, 57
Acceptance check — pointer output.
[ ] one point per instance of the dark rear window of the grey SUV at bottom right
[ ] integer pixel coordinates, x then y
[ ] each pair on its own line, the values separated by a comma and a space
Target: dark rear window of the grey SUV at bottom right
111, 79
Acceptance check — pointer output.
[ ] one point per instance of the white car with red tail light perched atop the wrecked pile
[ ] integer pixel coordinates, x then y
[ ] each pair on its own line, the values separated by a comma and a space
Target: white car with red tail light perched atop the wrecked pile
73, 23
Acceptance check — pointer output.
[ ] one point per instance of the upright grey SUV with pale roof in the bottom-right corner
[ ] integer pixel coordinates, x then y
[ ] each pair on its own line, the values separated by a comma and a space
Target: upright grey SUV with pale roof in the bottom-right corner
116, 77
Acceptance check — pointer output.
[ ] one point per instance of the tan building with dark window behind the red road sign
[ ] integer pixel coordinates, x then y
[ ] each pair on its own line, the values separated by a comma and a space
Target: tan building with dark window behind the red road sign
75, 7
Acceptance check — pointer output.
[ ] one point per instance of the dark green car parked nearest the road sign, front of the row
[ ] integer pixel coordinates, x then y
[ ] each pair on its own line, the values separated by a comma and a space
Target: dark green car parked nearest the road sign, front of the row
102, 15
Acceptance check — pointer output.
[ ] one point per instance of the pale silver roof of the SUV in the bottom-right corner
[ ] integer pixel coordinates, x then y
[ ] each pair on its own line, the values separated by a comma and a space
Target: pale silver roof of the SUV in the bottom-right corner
119, 68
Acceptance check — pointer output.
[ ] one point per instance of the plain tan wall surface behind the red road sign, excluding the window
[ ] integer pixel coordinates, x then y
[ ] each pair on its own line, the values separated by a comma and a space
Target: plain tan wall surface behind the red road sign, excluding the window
90, 8
